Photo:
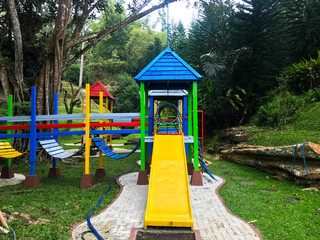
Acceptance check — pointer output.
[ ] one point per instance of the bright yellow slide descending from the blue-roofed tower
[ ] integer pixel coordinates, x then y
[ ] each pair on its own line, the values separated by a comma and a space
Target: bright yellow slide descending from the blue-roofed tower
169, 202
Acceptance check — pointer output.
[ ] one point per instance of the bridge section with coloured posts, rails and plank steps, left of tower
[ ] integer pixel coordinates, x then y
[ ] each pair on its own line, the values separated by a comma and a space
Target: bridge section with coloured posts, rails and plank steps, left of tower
49, 140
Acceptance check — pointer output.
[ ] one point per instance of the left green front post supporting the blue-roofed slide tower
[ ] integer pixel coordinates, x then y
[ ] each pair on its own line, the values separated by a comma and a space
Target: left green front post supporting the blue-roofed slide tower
142, 125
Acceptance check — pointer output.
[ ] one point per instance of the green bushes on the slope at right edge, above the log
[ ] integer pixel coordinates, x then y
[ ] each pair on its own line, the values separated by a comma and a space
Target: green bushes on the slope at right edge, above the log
299, 86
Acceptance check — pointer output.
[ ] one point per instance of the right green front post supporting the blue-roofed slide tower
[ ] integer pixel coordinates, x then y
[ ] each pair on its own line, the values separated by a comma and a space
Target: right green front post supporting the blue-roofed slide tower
195, 125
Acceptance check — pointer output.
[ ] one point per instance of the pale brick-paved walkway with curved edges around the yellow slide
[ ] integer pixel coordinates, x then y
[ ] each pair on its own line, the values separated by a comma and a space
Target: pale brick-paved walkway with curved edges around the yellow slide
211, 217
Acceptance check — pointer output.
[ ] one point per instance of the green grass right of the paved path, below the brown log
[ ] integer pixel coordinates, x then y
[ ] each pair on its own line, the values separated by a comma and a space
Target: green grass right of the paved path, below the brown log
275, 217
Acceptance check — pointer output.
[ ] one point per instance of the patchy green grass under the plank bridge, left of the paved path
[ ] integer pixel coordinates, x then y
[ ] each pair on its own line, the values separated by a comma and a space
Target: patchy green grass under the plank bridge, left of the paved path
61, 201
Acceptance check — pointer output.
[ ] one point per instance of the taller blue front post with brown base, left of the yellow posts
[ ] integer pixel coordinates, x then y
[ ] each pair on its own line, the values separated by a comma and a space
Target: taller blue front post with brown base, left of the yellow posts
33, 131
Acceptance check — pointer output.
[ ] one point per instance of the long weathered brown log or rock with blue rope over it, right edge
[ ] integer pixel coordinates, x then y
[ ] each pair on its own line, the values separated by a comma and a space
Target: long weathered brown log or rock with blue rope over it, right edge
279, 160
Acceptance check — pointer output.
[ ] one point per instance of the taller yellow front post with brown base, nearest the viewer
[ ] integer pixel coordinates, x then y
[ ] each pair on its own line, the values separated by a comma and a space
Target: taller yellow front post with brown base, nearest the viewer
87, 131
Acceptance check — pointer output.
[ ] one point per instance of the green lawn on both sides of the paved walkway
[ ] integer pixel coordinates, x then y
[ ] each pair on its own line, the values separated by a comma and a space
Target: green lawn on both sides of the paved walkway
61, 203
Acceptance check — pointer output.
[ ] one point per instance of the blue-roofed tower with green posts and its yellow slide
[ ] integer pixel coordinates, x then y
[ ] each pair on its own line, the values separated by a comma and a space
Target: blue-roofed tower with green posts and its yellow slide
169, 84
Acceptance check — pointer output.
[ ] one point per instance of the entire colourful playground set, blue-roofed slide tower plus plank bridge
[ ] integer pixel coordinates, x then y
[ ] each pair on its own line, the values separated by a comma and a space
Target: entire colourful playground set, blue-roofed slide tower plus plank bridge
168, 85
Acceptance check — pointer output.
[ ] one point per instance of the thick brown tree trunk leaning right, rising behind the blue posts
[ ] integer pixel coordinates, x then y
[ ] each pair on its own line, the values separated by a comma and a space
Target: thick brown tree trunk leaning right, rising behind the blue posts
49, 79
